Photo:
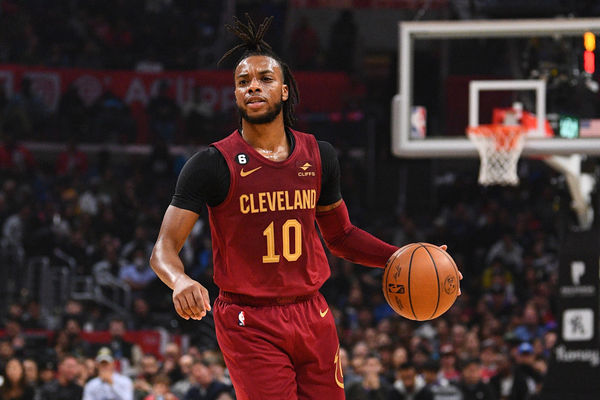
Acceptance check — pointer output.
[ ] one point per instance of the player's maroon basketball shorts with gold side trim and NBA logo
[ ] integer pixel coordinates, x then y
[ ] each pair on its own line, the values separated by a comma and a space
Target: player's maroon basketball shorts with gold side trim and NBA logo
287, 352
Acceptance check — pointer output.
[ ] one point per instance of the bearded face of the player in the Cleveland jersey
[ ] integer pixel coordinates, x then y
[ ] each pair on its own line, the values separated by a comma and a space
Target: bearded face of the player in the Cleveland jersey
259, 89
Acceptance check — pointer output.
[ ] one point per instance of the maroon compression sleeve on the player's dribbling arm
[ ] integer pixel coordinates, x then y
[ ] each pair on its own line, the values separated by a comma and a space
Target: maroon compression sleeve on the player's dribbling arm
347, 241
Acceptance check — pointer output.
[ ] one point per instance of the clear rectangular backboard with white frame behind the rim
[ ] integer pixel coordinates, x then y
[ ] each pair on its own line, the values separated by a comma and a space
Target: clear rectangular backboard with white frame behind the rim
453, 74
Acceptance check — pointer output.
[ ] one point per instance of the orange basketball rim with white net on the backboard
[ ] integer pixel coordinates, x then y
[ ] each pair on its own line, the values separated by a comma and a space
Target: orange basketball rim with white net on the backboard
499, 148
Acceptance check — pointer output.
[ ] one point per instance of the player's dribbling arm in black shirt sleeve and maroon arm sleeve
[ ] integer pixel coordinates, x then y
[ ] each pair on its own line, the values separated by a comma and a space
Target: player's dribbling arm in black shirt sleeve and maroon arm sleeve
341, 236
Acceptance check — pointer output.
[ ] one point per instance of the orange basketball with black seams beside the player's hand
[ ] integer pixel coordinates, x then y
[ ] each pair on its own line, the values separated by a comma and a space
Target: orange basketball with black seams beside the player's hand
420, 281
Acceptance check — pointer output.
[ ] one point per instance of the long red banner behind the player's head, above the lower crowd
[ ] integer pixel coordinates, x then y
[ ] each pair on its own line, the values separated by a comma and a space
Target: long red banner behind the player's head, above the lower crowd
319, 91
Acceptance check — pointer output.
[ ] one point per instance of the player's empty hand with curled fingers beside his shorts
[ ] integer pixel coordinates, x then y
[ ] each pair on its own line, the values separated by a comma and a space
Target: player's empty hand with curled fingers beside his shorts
190, 298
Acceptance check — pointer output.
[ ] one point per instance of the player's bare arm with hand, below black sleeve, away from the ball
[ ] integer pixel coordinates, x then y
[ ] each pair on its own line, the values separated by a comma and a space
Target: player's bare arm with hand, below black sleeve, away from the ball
190, 298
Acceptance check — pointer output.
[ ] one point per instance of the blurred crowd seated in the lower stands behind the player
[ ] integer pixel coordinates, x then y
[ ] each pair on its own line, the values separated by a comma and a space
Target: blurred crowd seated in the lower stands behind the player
99, 214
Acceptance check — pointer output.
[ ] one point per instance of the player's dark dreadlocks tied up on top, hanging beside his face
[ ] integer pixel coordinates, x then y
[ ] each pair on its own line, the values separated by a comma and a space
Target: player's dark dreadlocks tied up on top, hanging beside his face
253, 44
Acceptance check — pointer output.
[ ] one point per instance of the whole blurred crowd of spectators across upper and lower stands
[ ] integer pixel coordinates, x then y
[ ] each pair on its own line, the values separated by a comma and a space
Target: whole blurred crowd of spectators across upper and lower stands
96, 216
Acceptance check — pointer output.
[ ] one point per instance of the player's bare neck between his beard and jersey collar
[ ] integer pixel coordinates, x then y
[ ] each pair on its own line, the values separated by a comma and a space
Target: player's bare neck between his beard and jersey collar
268, 139
